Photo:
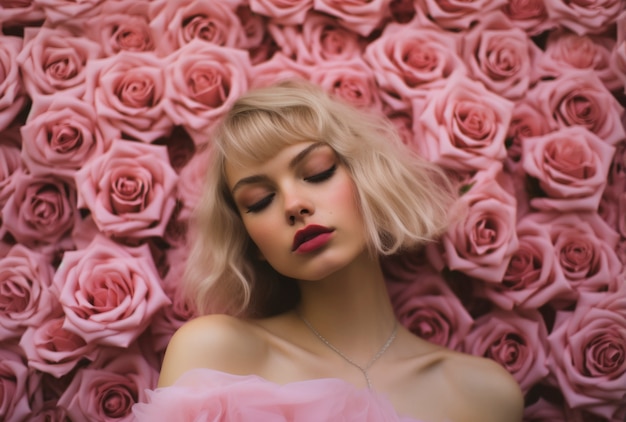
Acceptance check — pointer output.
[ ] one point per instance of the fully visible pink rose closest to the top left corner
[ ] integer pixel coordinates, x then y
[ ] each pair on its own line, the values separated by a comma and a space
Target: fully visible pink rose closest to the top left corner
54, 59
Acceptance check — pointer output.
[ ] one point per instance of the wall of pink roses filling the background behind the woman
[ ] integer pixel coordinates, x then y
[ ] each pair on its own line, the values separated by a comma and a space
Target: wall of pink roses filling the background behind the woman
106, 110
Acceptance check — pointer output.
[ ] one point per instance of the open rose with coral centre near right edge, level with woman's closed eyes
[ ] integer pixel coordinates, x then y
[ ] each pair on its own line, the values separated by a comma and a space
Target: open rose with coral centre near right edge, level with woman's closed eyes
571, 166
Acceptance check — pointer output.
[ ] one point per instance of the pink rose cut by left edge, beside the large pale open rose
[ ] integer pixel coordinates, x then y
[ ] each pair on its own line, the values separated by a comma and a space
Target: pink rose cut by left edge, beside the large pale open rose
25, 297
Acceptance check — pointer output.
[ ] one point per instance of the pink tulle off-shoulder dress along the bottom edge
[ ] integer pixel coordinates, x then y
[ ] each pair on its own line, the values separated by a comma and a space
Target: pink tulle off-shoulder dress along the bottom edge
205, 395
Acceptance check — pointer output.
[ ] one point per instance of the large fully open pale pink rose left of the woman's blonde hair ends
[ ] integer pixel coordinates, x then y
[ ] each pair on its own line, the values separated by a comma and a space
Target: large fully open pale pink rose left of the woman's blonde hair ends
109, 293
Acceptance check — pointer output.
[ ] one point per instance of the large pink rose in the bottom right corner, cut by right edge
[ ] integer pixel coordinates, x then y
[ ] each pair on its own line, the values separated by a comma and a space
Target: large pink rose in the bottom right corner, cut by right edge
588, 349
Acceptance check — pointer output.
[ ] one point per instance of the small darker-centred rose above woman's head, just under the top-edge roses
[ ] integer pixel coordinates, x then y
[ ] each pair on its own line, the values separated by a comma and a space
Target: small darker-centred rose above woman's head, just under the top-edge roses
322, 38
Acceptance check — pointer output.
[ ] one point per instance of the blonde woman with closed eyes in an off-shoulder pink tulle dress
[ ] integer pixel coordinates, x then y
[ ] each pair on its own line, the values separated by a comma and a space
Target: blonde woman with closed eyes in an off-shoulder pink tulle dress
304, 195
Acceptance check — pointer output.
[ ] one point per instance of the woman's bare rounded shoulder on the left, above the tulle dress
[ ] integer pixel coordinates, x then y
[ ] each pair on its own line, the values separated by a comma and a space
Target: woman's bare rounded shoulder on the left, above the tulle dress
219, 342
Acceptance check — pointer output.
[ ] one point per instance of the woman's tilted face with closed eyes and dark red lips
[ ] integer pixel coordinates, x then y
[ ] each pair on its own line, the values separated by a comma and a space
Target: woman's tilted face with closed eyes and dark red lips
300, 210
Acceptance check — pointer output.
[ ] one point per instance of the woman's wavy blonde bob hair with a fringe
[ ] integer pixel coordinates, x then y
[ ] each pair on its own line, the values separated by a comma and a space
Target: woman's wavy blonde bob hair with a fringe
404, 199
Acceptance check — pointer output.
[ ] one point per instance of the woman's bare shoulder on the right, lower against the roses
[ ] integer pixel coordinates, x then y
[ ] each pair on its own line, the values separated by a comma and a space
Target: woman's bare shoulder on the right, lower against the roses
488, 387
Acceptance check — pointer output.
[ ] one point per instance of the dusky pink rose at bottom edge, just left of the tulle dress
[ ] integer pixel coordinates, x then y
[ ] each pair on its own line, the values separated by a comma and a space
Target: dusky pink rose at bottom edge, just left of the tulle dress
108, 390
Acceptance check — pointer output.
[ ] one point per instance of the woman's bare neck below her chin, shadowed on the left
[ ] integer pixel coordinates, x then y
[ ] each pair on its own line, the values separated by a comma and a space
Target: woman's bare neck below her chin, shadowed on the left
351, 309
